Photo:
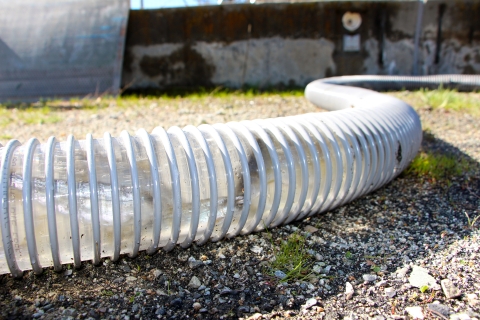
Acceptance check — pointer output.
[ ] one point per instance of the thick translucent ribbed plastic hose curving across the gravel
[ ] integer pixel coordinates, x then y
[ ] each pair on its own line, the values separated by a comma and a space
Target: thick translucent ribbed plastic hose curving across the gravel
66, 202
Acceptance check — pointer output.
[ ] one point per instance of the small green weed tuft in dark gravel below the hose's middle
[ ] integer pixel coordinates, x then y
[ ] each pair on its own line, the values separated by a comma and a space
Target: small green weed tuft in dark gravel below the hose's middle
292, 258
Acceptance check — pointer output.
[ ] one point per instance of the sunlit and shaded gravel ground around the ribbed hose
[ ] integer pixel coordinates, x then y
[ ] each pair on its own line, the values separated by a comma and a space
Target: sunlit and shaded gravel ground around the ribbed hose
404, 251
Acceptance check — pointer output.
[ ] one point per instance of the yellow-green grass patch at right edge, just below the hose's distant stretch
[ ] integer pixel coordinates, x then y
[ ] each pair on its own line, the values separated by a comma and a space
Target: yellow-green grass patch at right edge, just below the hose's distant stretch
451, 100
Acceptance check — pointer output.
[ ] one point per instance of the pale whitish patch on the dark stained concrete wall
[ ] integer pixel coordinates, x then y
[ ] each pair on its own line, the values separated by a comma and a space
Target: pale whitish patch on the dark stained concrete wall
269, 61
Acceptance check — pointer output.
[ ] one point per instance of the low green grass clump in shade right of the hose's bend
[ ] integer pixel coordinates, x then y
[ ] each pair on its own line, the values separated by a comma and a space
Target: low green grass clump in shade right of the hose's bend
437, 167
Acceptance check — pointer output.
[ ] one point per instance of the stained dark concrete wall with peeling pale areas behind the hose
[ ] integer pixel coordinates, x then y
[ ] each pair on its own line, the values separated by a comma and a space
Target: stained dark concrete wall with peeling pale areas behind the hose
292, 44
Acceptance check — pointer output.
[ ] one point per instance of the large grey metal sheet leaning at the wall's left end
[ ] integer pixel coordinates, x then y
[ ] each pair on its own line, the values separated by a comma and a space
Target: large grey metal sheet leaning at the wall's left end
55, 48
